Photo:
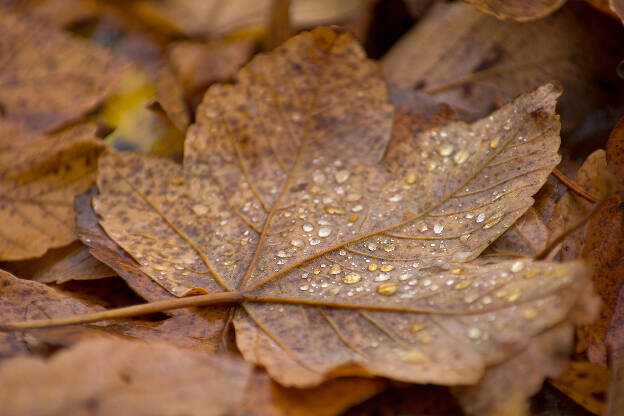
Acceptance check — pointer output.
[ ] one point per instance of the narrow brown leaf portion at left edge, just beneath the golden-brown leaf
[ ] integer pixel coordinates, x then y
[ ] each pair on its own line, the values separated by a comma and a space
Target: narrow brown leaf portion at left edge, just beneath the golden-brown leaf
72, 262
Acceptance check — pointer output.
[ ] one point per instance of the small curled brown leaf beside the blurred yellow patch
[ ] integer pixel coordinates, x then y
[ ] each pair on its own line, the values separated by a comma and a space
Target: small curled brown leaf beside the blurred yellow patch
169, 99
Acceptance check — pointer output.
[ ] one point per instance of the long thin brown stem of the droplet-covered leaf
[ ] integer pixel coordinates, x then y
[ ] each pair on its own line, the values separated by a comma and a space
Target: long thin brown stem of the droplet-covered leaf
127, 312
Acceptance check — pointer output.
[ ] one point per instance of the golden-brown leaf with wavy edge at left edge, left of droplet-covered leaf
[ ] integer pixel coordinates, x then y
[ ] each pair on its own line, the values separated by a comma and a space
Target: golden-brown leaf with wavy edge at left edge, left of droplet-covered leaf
39, 177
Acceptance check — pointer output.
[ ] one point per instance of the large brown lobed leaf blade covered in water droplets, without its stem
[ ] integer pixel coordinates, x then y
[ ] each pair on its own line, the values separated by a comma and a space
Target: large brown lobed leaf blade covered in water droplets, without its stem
350, 260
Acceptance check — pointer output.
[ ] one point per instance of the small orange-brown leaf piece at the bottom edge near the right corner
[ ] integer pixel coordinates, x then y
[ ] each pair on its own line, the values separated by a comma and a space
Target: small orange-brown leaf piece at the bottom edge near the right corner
586, 384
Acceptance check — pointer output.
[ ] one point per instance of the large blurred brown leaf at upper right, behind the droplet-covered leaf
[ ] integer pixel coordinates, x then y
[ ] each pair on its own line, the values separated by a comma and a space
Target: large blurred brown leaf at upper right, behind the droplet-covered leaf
474, 62
